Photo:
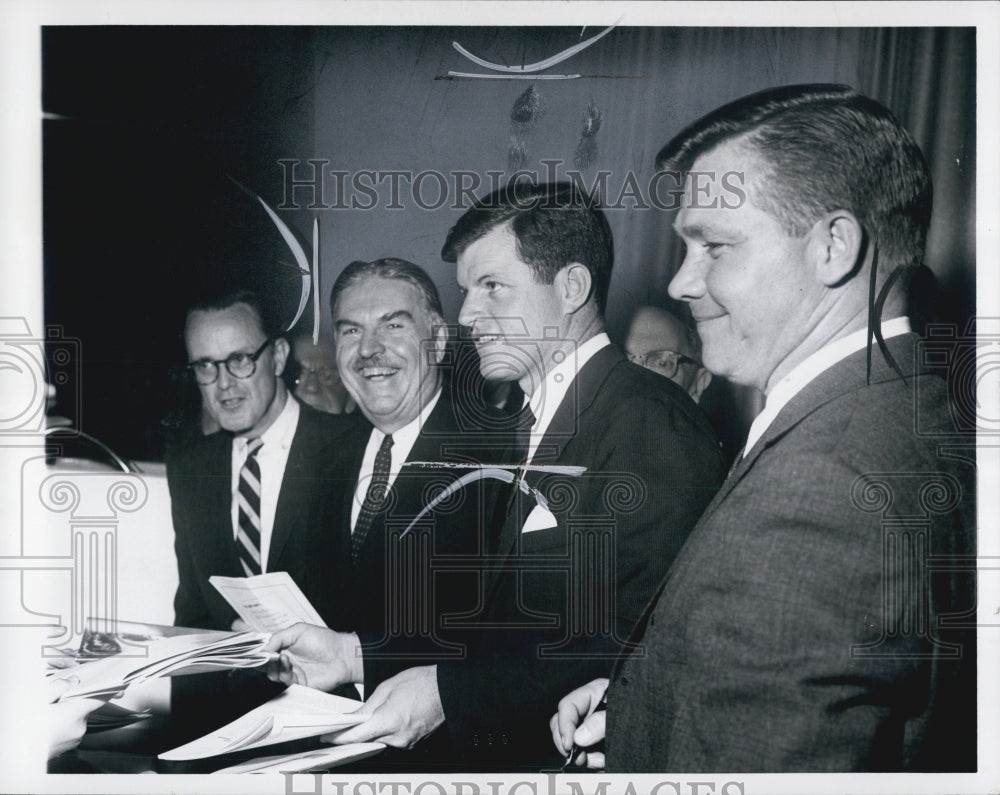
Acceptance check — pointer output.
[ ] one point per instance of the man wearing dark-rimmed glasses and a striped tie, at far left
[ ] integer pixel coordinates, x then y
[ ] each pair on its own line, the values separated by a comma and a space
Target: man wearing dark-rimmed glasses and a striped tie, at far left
242, 498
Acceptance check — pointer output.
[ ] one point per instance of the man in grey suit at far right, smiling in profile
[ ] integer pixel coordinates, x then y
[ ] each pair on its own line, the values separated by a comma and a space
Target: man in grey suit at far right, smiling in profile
819, 617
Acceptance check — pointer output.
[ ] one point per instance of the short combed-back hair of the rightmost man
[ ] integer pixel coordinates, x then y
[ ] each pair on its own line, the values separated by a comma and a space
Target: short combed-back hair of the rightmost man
825, 147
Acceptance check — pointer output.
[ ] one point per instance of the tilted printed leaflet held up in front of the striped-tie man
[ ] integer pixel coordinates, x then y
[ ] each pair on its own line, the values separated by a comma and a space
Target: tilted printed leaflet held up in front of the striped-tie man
268, 602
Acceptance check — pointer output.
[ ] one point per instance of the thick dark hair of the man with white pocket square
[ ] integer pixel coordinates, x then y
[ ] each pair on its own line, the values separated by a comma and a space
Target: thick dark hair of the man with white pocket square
553, 224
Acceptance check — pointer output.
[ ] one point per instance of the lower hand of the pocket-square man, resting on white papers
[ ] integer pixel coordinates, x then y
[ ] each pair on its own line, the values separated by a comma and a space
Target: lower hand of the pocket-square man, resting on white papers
401, 712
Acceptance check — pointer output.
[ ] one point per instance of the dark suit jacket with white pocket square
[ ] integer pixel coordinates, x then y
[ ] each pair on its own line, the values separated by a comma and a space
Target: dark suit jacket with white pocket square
562, 600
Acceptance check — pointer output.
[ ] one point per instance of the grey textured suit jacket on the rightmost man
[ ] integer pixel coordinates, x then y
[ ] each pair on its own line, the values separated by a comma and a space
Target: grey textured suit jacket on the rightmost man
798, 630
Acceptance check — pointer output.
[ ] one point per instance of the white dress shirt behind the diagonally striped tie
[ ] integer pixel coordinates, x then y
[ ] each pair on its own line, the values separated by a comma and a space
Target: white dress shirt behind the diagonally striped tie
272, 457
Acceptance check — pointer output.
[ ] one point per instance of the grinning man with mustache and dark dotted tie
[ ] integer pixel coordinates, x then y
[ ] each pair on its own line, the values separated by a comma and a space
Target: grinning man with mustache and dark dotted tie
398, 601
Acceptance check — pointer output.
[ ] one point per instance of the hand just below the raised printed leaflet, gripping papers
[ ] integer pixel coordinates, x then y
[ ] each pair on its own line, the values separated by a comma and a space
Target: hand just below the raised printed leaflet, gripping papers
316, 657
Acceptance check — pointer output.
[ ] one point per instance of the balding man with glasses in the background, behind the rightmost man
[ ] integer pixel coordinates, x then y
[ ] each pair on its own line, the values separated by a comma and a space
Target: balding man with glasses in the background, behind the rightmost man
660, 342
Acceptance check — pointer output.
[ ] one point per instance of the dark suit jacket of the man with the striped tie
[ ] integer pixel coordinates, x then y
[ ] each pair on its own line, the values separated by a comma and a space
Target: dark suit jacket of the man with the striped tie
199, 479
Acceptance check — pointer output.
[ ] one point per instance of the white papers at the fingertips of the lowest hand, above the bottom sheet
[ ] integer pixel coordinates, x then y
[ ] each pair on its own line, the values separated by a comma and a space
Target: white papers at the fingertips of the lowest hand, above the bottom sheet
294, 714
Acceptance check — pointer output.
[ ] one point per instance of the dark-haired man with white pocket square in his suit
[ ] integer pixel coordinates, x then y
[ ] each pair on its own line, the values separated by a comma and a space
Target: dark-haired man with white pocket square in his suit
580, 550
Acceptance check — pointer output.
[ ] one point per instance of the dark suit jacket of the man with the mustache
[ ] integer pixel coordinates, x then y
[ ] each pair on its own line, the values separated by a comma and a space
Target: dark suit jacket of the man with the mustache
405, 590
